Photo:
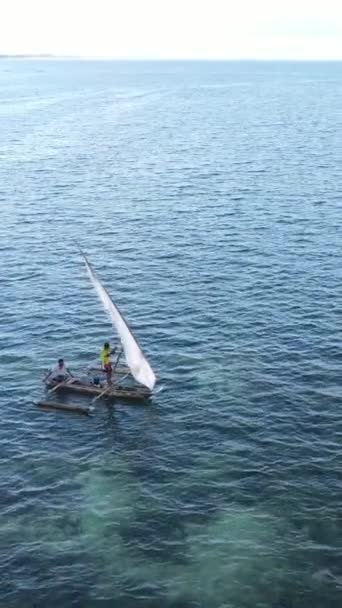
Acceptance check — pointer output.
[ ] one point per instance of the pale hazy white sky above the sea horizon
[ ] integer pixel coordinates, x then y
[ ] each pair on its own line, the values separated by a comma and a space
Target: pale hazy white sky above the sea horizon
158, 29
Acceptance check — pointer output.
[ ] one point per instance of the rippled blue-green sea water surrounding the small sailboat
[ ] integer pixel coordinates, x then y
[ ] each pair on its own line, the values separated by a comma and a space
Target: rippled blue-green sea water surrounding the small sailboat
208, 197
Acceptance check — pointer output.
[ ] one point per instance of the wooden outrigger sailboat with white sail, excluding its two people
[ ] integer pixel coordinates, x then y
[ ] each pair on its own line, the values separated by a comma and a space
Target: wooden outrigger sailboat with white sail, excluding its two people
137, 367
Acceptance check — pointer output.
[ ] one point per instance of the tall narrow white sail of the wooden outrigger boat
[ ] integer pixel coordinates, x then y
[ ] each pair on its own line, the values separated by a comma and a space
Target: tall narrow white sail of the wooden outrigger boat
139, 366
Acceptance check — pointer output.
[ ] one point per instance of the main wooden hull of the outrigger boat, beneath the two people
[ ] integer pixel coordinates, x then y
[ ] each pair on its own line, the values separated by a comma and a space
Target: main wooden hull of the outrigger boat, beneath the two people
116, 392
